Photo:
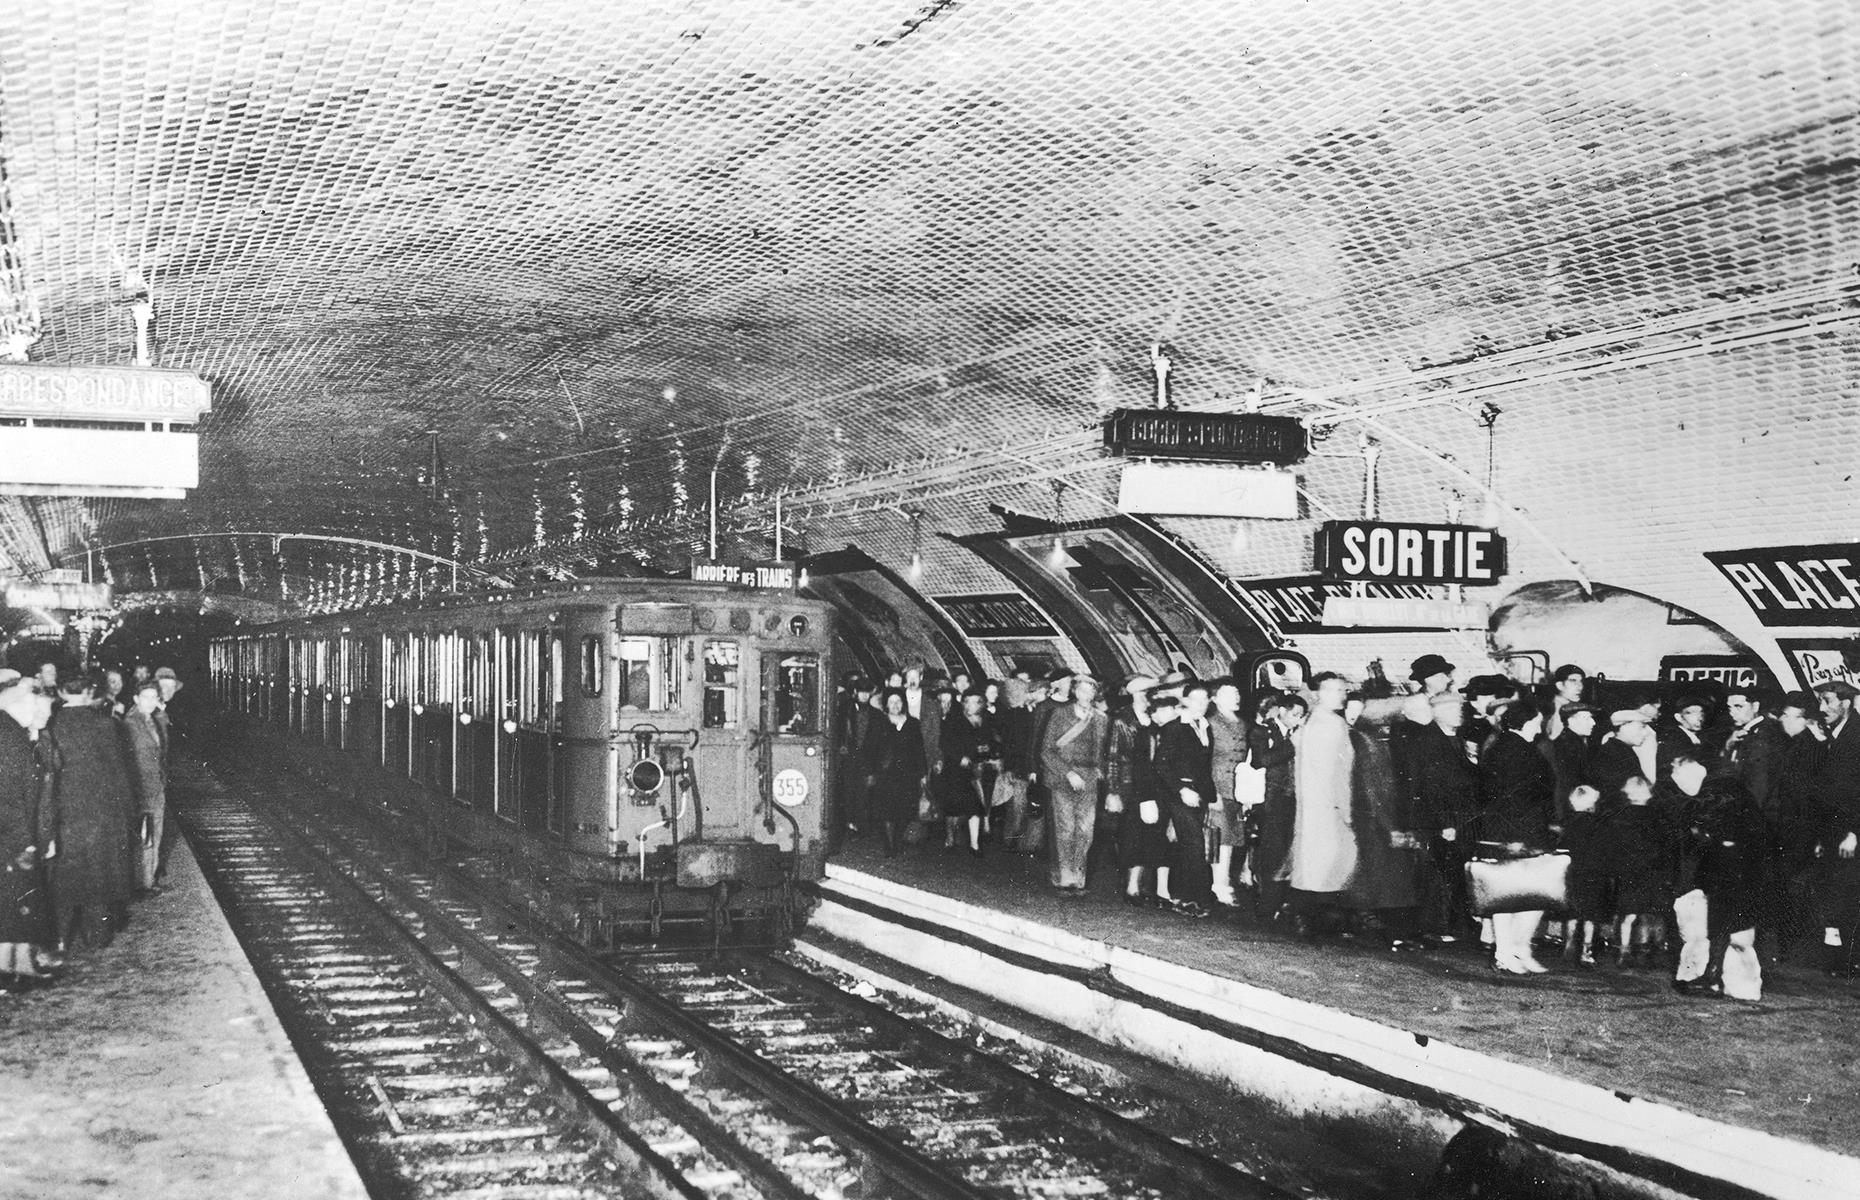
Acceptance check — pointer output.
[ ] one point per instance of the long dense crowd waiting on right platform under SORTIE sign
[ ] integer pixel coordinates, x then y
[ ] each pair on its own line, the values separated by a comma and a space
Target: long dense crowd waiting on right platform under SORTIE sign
1703, 836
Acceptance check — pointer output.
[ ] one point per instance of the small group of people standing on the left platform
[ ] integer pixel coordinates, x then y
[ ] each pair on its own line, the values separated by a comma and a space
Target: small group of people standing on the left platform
83, 805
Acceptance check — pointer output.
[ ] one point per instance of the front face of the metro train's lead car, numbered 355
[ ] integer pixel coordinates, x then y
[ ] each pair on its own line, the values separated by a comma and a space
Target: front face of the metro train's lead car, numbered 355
717, 771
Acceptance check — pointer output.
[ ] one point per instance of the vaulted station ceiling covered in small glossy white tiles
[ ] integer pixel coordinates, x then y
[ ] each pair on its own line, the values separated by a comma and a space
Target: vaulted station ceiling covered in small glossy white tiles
905, 254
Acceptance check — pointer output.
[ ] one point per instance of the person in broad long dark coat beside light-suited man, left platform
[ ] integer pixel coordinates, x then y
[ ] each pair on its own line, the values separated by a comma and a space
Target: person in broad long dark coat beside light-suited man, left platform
94, 875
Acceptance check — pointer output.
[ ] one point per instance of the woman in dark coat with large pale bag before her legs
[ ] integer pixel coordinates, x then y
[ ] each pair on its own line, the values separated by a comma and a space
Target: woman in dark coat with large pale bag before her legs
1521, 808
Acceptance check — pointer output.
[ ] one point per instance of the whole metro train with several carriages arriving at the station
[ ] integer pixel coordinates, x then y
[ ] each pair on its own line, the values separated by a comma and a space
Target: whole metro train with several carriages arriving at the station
637, 756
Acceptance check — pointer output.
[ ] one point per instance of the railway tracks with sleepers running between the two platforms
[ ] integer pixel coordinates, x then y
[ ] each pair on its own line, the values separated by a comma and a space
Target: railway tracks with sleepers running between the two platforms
698, 1076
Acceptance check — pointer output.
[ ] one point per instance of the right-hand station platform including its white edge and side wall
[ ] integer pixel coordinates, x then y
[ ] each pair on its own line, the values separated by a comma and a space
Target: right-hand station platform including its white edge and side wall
1716, 1097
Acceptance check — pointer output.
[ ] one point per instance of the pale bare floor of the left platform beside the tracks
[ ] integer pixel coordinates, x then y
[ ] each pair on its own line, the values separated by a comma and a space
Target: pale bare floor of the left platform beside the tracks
157, 1069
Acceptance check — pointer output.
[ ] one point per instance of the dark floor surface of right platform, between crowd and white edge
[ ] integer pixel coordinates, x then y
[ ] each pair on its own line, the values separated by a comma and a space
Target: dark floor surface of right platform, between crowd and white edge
1788, 1065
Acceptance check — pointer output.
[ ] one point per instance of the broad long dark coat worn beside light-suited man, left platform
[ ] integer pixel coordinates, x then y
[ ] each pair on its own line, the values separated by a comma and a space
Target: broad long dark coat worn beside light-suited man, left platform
98, 810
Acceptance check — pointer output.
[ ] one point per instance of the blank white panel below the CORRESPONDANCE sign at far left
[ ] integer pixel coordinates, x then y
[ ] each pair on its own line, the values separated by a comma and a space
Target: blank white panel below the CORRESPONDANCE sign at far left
98, 462
